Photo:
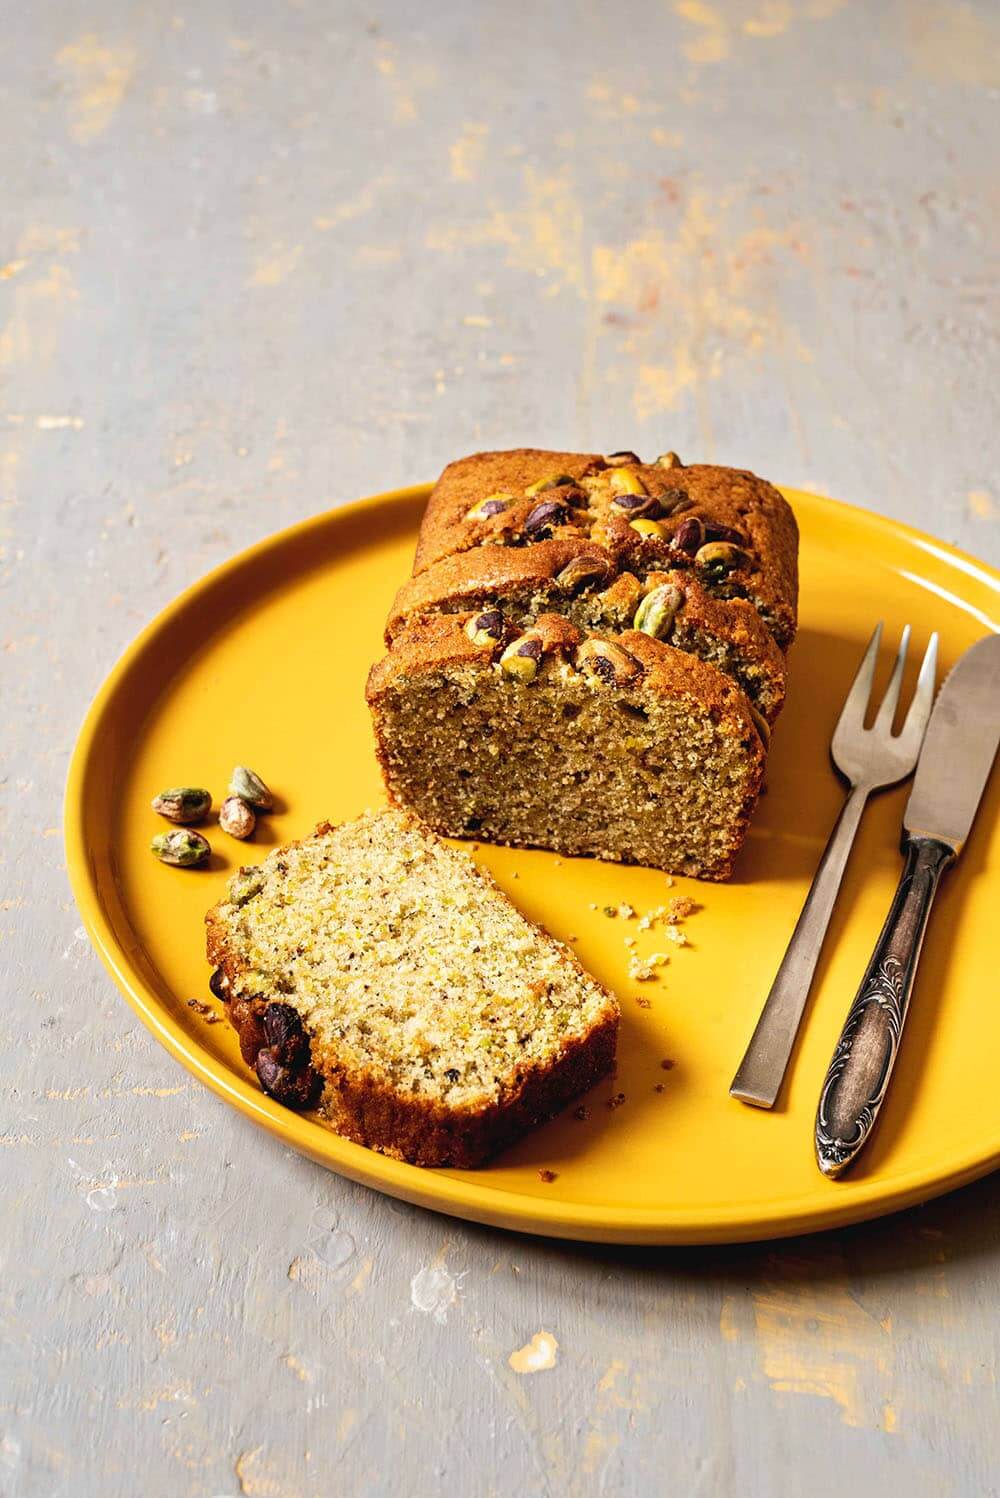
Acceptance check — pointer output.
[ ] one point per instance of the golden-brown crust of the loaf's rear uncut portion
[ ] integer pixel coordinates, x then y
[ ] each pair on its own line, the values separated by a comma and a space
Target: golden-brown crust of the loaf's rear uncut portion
719, 500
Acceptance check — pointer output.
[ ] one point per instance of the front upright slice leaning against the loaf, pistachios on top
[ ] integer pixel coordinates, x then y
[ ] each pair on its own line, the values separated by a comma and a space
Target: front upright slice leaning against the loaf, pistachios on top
624, 750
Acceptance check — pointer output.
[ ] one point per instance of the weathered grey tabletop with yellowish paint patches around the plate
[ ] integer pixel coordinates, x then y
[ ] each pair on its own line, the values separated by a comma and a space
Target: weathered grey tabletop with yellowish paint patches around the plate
260, 258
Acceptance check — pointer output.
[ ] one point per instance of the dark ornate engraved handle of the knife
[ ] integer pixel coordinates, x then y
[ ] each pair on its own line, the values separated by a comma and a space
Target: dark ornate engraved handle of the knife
866, 1054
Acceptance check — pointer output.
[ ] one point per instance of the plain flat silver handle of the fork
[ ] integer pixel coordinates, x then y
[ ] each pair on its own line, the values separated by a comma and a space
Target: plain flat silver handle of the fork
763, 1069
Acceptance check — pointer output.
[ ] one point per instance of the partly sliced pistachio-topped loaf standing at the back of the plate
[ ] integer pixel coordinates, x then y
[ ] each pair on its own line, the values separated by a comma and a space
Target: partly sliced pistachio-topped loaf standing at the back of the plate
591, 655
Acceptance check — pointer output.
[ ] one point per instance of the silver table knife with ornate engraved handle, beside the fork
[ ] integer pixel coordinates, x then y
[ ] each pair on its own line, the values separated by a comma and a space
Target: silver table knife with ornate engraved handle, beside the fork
951, 777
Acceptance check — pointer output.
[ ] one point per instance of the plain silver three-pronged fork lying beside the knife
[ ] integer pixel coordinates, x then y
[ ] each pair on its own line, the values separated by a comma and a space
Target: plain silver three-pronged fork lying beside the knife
869, 759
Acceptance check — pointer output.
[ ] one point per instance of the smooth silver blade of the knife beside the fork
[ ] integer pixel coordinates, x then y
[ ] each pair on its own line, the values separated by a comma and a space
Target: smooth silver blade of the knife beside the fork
959, 748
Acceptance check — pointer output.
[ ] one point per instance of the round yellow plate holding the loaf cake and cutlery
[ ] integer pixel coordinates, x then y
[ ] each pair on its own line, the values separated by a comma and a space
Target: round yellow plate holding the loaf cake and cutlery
264, 663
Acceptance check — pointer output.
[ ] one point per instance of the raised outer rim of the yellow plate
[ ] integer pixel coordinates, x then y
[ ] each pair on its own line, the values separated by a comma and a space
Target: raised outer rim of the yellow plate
466, 1196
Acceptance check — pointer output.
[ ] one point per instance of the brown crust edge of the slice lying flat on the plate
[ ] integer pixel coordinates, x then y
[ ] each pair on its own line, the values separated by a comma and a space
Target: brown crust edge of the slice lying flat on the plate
423, 1132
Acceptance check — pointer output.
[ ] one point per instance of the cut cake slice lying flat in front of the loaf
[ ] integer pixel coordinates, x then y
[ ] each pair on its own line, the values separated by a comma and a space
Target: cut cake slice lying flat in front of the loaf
382, 977
